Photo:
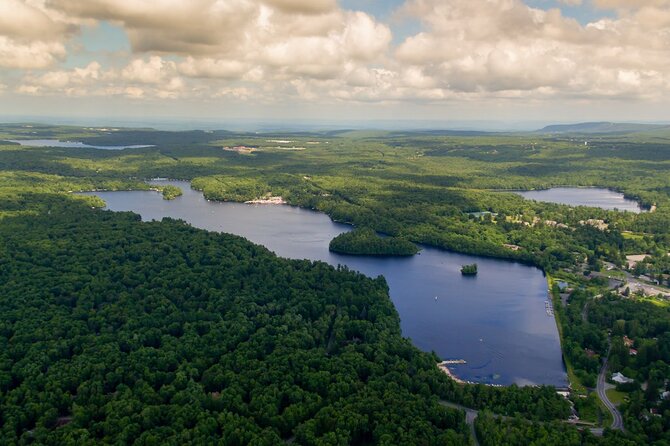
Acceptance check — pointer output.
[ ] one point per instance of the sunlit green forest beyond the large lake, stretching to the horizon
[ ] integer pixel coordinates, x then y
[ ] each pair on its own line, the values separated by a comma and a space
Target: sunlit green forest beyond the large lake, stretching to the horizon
421, 187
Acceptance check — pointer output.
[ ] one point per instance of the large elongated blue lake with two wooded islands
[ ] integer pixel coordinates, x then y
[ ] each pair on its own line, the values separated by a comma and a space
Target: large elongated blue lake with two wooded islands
496, 321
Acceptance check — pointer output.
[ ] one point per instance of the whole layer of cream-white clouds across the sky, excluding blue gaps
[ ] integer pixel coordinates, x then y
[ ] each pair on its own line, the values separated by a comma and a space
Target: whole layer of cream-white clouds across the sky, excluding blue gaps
316, 50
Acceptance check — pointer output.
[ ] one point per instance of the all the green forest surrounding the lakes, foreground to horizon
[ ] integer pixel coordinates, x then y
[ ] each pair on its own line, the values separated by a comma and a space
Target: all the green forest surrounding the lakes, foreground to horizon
113, 329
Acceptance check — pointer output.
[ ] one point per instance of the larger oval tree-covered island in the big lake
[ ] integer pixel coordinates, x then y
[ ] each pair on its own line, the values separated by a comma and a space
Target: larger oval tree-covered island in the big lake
365, 241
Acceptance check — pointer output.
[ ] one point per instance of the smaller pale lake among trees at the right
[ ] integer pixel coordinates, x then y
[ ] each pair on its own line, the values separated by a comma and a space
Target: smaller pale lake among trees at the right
584, 196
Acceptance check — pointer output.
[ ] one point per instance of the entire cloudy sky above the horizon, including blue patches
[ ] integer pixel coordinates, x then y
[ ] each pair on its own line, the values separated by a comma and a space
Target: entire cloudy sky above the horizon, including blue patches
441, 61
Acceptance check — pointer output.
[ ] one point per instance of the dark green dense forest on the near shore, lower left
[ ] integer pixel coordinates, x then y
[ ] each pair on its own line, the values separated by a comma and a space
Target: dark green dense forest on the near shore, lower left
115, 330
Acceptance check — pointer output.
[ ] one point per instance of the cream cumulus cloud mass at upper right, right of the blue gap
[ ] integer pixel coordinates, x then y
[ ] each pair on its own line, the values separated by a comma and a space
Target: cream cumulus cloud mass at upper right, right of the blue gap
504, 45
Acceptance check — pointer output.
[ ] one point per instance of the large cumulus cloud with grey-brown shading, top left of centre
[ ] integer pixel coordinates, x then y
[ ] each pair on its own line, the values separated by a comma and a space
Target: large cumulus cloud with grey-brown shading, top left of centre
232, 38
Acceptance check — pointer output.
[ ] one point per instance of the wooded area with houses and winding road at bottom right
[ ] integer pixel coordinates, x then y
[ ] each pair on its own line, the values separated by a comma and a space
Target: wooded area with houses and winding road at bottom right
634, 334
